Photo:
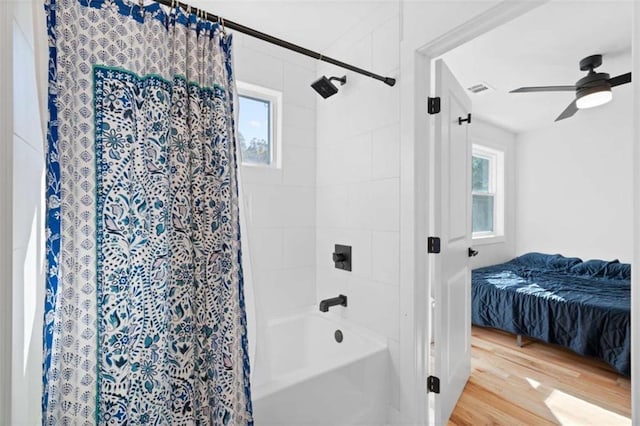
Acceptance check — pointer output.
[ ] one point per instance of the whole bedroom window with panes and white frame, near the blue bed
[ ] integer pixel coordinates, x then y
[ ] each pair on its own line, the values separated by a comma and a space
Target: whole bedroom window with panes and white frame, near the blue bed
487, 192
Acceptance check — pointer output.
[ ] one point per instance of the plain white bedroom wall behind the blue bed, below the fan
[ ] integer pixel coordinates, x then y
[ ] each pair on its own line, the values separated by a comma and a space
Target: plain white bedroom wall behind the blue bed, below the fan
574, 181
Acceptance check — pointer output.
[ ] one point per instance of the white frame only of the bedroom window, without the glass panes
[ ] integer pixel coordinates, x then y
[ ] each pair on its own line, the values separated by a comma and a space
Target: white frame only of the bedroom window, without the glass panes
495, 189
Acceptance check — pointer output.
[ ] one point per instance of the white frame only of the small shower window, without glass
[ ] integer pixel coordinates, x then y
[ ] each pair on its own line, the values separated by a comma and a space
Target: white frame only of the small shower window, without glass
274, 98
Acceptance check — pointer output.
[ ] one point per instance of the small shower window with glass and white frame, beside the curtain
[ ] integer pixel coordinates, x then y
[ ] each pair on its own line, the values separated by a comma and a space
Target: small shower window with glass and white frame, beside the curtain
259, 125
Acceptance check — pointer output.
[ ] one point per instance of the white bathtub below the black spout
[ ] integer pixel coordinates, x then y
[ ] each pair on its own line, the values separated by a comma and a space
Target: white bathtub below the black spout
305, 377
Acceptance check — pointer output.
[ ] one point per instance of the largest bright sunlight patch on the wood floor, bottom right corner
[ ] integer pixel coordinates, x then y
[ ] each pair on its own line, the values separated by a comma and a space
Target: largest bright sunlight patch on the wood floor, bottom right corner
571, 410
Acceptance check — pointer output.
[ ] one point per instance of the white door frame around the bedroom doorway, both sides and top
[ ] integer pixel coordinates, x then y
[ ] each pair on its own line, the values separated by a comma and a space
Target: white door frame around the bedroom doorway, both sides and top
422, 132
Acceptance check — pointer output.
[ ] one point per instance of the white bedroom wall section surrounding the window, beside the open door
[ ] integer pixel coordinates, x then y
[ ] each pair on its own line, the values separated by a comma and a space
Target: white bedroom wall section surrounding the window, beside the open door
501, 249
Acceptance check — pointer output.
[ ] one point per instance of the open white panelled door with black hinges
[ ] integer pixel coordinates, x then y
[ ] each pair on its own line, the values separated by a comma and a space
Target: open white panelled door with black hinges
451, 271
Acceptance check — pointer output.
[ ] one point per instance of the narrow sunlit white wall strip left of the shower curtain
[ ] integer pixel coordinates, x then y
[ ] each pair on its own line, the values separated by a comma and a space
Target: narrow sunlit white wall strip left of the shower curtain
28, 224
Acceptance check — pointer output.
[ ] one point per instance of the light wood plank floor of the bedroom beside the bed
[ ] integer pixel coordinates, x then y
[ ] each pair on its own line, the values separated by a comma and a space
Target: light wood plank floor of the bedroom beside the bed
538, 384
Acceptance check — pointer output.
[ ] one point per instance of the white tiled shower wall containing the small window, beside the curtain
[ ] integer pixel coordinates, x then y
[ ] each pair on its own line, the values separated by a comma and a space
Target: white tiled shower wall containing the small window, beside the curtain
281, 202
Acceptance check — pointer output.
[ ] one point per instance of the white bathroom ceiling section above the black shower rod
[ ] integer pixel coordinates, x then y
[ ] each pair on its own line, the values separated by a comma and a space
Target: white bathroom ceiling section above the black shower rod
314, 24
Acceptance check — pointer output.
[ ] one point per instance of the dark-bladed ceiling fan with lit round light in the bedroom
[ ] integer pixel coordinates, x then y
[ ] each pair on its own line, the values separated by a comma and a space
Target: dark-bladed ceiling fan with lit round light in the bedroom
592, 90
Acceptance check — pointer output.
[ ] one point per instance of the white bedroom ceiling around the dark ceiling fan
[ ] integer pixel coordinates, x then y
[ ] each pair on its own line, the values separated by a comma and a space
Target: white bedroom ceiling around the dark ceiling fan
541, 48
